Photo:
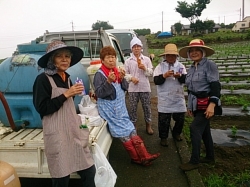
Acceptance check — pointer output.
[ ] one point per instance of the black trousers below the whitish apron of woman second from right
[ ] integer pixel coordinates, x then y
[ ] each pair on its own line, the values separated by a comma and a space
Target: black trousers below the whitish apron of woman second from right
164, 120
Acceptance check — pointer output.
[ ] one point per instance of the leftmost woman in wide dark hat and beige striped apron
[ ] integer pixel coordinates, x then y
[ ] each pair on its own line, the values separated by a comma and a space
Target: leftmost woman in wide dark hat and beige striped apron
66, 145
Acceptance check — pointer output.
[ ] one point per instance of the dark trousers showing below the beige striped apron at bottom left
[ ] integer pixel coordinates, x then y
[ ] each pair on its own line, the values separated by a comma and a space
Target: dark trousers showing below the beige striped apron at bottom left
87, 178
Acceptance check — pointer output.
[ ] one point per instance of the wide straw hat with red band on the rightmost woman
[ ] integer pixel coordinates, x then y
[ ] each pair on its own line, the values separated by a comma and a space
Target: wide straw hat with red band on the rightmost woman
196, 43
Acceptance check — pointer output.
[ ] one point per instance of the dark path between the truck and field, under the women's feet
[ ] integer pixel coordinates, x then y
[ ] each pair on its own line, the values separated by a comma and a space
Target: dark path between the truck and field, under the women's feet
164, 171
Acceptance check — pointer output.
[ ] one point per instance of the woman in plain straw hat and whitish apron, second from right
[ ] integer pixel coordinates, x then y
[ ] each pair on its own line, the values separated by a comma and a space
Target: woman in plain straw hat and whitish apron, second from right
171, 100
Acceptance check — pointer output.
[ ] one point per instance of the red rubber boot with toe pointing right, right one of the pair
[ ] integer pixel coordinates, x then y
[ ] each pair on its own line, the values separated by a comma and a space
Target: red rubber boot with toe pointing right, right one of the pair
142, 152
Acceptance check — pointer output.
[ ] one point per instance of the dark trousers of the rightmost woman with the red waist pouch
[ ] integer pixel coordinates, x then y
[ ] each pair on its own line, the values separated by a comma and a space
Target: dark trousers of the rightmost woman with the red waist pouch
200, 130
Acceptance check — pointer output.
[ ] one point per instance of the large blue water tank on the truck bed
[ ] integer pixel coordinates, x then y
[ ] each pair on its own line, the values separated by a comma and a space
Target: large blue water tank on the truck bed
17, 75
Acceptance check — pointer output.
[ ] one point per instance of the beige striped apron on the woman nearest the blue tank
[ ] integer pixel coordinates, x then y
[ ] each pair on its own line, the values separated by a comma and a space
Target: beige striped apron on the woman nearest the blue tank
65, 143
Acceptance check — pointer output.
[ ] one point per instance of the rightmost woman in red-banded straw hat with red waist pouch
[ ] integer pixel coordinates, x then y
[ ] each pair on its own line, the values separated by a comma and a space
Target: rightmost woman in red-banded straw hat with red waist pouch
202, 81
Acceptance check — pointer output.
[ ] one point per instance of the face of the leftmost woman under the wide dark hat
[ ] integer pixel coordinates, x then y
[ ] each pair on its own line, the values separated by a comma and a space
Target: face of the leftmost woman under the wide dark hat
62, 59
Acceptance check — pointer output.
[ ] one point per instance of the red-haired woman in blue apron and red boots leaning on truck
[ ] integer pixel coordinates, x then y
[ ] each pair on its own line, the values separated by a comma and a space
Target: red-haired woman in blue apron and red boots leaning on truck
110, 87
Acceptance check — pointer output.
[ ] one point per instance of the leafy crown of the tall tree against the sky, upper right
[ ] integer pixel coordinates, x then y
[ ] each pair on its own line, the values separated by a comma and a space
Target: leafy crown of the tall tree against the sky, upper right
191, 11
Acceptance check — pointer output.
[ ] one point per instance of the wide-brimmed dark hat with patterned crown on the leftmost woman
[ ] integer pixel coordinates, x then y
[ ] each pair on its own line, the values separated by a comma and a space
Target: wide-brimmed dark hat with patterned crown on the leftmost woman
76, 52
